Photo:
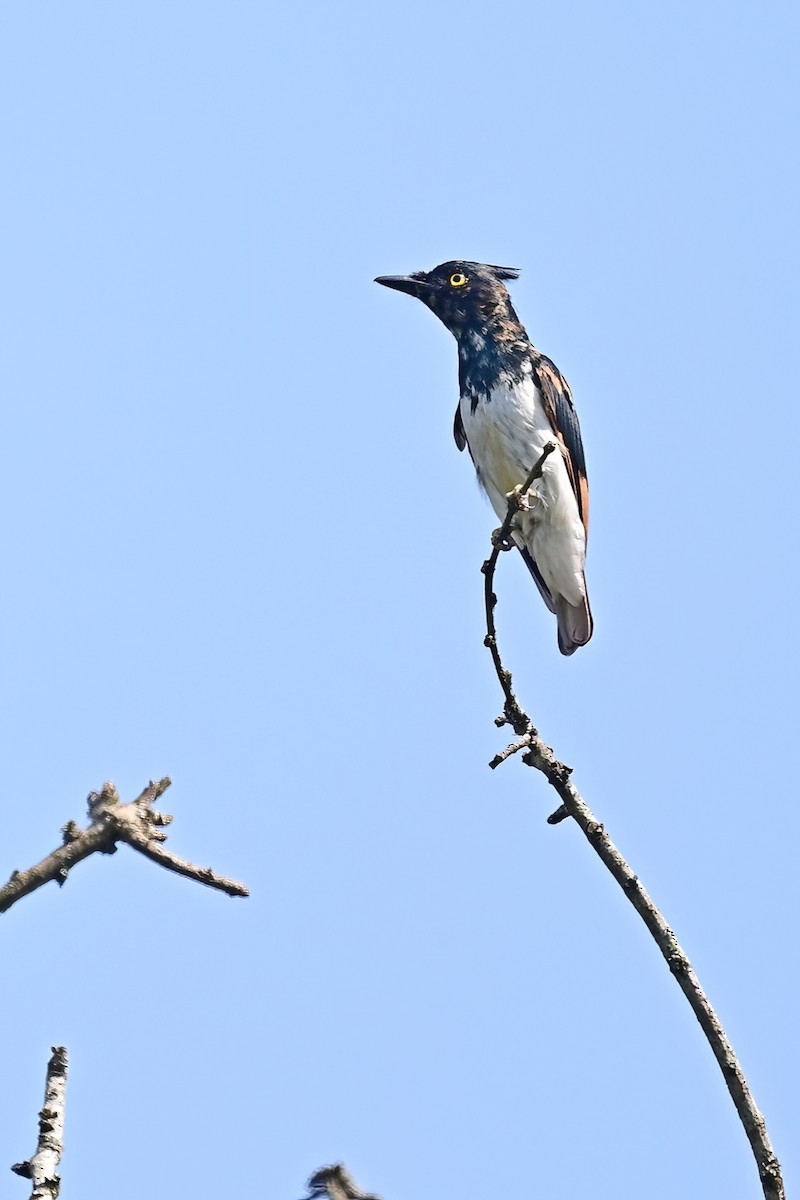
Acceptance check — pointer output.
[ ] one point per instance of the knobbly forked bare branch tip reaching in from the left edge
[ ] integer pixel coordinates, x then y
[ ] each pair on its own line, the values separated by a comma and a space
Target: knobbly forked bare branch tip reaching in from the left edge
139, 824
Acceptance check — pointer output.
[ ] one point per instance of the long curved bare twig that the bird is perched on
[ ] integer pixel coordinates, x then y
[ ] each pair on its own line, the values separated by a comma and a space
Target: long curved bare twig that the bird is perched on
542, 757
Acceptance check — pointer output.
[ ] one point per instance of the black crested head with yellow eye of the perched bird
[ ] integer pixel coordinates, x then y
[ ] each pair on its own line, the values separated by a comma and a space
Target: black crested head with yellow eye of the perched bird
464, 296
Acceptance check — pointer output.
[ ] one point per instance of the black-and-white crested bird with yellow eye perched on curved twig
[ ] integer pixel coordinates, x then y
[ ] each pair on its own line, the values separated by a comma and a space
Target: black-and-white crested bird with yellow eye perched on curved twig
513, 403
